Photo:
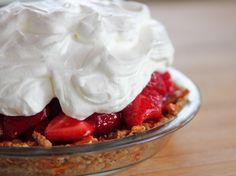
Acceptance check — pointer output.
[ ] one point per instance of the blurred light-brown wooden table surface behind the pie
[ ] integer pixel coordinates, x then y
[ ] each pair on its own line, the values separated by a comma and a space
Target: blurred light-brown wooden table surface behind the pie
204, 35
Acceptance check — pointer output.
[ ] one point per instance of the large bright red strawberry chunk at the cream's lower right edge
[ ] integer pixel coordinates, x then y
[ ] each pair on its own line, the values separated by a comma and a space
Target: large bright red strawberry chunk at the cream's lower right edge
140, 110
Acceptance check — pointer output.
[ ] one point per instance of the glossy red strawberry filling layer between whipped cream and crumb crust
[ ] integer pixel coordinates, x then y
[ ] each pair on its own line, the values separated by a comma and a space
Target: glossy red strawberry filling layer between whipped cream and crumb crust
149, 105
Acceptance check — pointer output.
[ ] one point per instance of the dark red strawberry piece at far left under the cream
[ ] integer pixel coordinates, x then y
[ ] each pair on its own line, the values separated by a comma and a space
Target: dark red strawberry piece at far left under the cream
15, 126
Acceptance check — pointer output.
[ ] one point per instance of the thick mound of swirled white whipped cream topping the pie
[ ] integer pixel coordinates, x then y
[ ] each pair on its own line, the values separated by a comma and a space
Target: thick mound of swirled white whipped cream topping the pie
93, 55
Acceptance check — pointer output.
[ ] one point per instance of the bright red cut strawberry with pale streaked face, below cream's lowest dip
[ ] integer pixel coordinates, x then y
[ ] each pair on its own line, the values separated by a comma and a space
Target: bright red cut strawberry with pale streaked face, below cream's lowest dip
66, 129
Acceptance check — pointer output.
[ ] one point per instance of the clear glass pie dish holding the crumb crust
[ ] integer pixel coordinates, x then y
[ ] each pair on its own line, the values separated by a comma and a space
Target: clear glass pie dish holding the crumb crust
102, 158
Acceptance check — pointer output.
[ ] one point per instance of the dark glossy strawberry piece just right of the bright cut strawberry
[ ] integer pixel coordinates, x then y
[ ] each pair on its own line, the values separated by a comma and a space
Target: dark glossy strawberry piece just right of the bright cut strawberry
105, 123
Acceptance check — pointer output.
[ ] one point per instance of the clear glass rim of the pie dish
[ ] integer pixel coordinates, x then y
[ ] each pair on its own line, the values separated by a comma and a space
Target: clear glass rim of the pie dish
183, 117
